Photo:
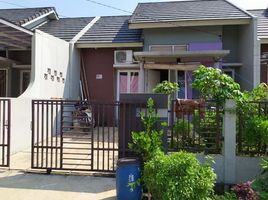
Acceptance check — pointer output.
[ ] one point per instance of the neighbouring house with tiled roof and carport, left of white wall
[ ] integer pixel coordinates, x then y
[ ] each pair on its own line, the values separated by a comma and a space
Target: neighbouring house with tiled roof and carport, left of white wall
16, 44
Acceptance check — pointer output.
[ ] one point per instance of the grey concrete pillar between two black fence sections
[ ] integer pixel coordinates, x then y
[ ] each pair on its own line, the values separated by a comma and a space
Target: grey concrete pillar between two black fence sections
229, 149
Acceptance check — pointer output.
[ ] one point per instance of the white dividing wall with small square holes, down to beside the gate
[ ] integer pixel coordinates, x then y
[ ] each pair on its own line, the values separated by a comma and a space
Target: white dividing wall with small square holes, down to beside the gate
48, 52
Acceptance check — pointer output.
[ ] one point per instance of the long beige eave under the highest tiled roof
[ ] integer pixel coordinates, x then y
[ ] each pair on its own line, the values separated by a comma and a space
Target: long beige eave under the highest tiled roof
187, 23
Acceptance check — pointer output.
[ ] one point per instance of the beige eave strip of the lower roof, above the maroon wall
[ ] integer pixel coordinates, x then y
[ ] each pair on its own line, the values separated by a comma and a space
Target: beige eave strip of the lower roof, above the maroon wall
83, 45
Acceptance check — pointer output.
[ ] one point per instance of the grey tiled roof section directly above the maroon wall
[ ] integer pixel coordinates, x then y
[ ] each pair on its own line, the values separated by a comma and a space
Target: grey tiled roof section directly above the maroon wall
111, 29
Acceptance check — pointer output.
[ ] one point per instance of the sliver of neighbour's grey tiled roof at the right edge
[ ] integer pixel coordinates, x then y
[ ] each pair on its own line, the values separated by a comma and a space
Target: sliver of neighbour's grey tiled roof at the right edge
262, 15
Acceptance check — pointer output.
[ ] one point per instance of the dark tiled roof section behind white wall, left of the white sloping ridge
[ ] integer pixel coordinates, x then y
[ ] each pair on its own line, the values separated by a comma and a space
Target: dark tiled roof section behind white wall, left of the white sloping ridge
65, 28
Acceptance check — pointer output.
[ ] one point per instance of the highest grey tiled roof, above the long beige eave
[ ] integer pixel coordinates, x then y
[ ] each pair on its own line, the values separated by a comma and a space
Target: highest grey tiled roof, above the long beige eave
186, 10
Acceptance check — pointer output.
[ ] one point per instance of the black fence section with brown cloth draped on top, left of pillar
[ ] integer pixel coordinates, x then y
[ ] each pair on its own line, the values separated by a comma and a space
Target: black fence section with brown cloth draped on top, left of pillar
195, 126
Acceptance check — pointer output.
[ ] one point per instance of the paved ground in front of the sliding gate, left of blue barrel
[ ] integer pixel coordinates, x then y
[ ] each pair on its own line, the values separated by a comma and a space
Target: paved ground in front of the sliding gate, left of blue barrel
18, 184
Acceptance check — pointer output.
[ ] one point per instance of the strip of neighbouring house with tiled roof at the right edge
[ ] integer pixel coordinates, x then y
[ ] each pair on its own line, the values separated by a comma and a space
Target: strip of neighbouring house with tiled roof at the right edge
262, 15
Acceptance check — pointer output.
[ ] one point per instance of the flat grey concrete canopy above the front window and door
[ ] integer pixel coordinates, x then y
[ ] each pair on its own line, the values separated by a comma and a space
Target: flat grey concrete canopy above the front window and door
184, 56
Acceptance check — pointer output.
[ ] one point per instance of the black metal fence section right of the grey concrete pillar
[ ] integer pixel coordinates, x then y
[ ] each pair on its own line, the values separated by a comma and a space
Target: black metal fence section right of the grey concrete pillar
252, 128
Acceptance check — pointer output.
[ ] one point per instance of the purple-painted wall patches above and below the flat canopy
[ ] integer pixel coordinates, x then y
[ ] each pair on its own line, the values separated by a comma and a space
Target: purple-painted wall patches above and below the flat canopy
201, 47
